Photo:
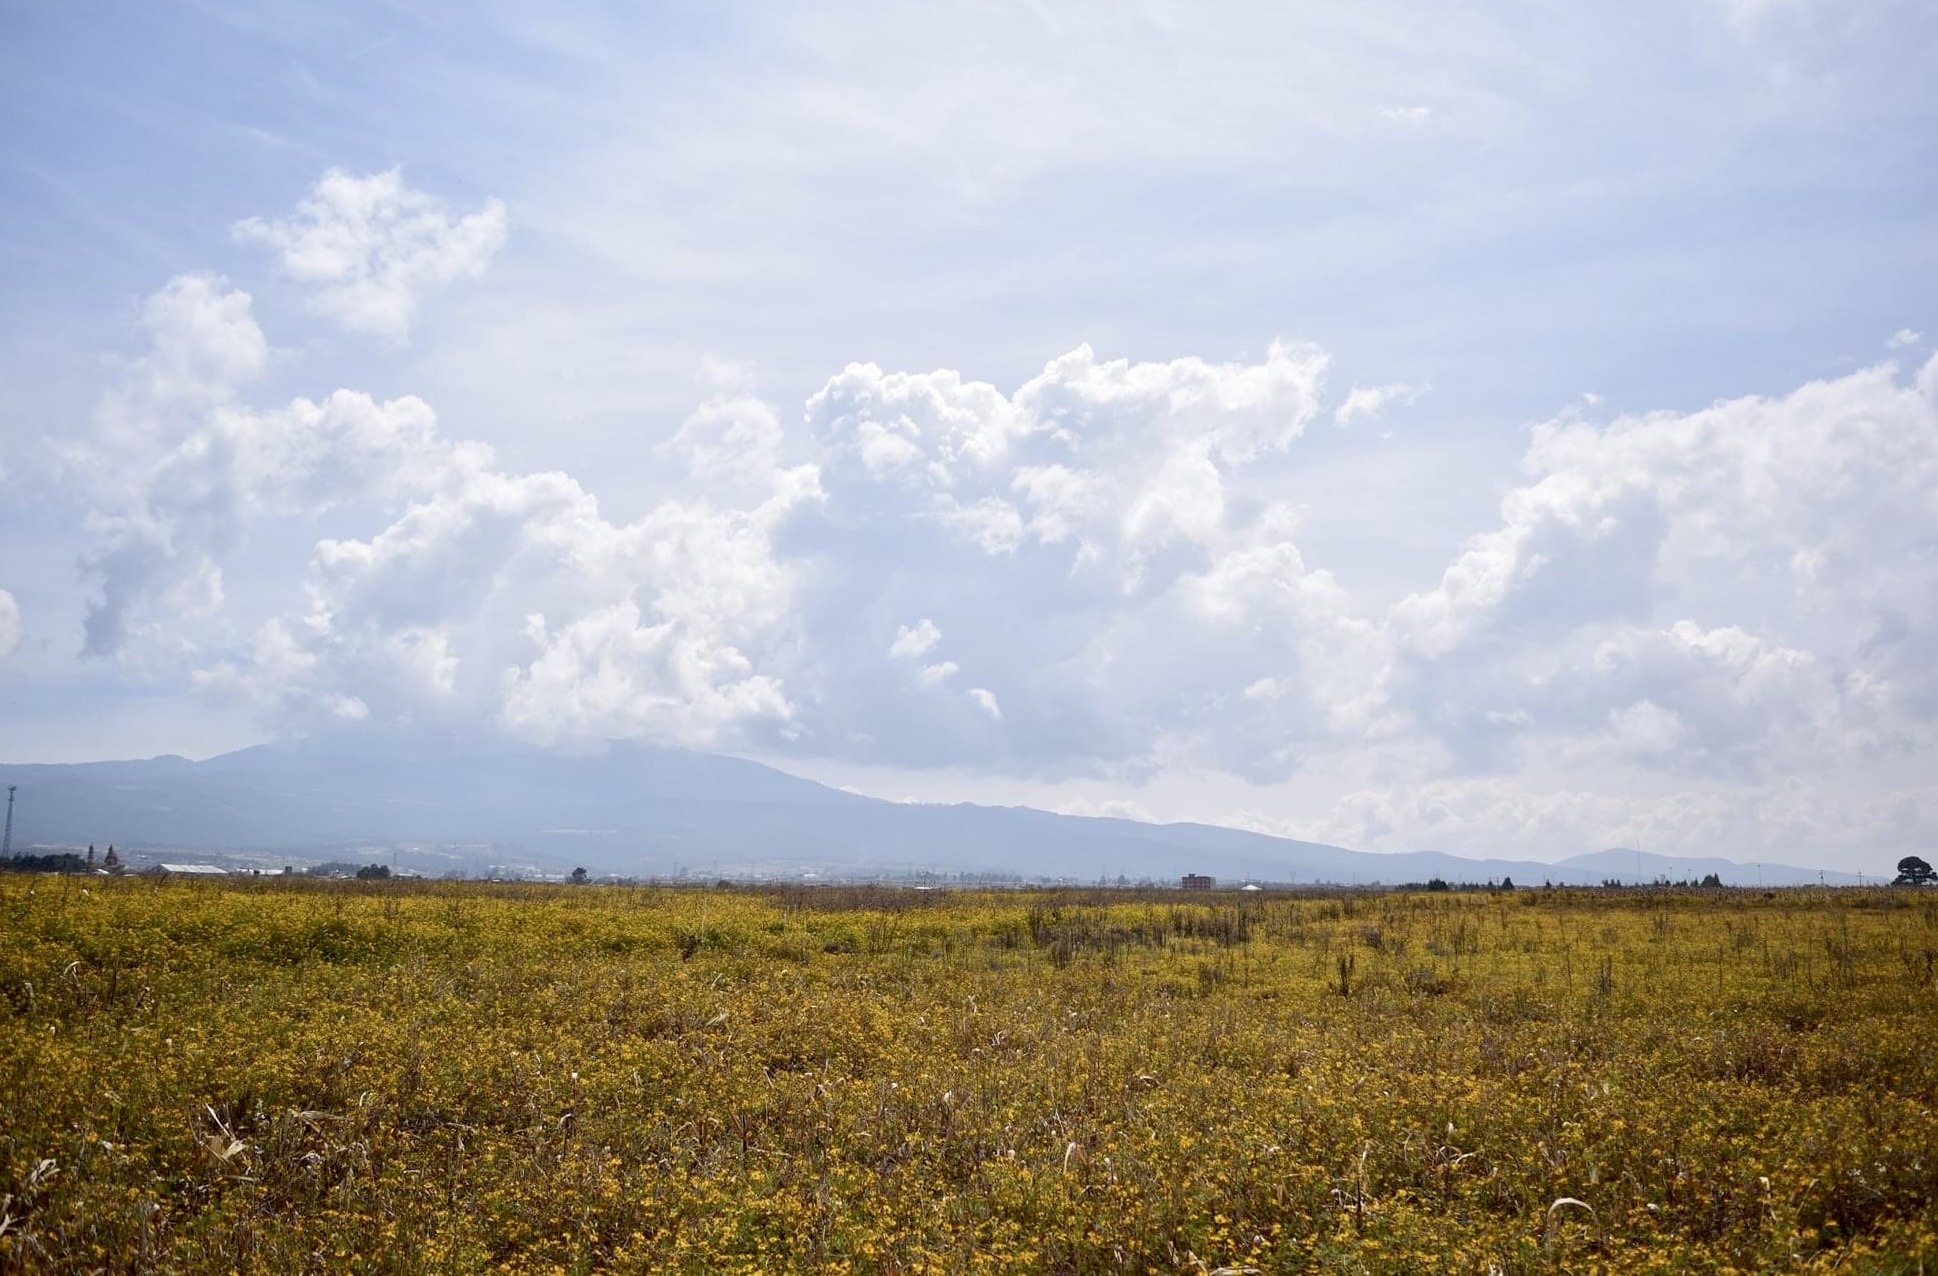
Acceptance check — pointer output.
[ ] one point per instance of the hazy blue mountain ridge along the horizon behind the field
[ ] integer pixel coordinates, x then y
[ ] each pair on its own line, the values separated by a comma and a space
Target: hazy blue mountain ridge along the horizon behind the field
639, 810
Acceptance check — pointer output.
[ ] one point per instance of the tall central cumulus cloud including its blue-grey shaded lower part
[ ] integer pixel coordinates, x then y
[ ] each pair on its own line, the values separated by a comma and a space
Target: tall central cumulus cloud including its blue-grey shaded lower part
1100, 556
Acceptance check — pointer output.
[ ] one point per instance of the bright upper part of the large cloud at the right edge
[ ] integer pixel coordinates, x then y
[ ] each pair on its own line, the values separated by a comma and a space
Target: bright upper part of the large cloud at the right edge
1838, 472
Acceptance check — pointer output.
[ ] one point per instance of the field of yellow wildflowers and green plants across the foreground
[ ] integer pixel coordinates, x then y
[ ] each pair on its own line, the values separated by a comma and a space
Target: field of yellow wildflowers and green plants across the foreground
458, 1077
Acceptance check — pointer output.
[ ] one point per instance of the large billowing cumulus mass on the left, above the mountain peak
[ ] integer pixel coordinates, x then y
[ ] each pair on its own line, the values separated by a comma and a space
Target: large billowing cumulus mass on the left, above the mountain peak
482, 598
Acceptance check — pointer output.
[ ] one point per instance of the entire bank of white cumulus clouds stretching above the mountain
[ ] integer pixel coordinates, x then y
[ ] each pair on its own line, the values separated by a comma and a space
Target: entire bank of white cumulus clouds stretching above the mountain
1681, 623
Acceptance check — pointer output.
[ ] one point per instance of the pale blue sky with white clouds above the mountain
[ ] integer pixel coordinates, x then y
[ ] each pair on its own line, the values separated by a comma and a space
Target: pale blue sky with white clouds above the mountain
1484, 428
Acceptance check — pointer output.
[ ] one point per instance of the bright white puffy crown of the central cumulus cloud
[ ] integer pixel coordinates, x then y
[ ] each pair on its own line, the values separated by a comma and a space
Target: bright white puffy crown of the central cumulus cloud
1113, 461
